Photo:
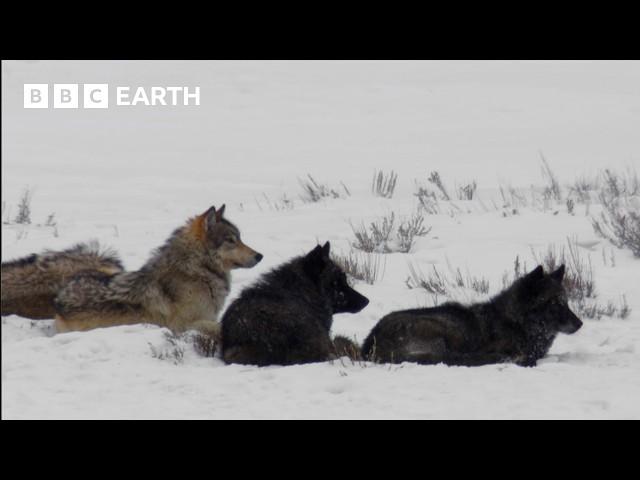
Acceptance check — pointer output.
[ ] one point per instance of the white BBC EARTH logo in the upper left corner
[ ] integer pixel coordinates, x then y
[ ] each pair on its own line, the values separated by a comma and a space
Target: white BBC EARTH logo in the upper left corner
96, 95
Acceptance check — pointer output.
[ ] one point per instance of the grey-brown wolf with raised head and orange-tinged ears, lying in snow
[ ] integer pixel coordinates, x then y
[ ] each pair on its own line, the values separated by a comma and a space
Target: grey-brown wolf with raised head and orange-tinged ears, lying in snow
183, 286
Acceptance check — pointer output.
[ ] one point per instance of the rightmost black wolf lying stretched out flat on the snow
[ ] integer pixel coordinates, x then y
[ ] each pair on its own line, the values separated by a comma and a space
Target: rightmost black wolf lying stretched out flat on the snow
518, 325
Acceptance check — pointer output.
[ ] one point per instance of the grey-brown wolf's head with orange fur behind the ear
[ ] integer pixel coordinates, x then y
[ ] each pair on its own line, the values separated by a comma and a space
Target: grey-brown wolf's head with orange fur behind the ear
224, 237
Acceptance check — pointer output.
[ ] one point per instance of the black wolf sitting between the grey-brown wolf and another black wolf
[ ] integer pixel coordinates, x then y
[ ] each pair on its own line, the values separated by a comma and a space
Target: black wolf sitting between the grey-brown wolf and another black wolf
286, 317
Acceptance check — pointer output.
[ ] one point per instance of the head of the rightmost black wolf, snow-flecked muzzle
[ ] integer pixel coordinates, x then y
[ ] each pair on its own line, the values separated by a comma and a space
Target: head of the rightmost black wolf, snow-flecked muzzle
543, 300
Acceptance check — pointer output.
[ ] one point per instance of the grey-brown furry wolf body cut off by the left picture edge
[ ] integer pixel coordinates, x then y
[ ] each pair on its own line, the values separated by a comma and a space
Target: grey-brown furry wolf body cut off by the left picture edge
30, 284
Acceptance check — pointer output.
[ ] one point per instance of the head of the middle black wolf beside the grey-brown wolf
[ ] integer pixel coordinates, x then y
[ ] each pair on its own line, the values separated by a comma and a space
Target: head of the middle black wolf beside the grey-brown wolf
332, 281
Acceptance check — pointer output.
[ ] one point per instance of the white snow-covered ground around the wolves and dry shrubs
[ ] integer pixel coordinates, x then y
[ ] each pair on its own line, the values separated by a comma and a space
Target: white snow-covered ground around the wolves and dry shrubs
129, 175
